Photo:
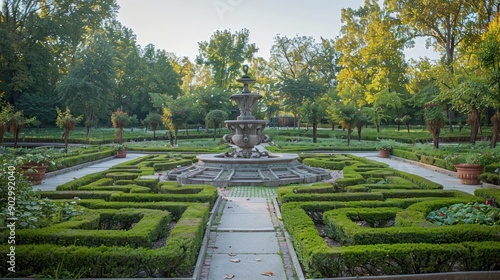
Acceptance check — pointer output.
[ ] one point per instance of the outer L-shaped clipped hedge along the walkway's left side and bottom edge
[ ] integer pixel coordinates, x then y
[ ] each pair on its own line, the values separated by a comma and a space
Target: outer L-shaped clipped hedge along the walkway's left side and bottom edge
176, 259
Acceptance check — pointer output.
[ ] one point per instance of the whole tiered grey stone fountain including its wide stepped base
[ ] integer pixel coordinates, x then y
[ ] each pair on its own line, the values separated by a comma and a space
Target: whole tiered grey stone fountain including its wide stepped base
249, 164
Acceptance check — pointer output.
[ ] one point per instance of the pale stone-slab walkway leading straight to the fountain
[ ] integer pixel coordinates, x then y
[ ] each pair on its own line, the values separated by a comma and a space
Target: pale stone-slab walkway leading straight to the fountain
247, 240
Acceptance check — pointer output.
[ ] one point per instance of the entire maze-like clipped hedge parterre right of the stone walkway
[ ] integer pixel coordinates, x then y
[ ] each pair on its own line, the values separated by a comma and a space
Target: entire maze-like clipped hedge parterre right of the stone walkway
374, 222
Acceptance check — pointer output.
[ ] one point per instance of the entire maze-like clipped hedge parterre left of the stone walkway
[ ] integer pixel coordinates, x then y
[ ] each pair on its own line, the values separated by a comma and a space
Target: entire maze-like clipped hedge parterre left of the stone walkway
132, 226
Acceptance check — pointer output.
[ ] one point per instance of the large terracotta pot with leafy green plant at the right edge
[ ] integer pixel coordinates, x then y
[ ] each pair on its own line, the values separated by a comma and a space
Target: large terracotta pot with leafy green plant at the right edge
470, 165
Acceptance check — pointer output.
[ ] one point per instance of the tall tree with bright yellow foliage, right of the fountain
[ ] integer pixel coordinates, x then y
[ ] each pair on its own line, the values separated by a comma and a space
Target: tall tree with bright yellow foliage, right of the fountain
372, 60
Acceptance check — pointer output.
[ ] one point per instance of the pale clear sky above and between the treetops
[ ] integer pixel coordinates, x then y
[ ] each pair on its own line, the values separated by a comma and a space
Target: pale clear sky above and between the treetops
178, 25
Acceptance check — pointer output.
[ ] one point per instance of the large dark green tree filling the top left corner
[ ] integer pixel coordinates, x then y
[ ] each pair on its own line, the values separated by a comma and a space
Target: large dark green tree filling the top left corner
38, 39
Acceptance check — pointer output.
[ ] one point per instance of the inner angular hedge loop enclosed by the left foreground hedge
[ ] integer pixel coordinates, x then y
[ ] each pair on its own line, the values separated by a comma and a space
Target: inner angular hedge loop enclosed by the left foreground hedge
91, 230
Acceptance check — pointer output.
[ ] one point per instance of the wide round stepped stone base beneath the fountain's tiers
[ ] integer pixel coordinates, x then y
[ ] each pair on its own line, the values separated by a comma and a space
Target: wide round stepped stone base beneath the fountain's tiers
273, 170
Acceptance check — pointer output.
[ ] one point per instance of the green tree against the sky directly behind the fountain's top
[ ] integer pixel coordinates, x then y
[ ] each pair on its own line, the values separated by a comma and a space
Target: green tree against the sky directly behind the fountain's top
225, 54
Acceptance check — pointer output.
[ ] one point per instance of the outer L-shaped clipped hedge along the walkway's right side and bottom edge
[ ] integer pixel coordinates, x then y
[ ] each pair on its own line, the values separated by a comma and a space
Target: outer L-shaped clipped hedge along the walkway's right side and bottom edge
321, 261
